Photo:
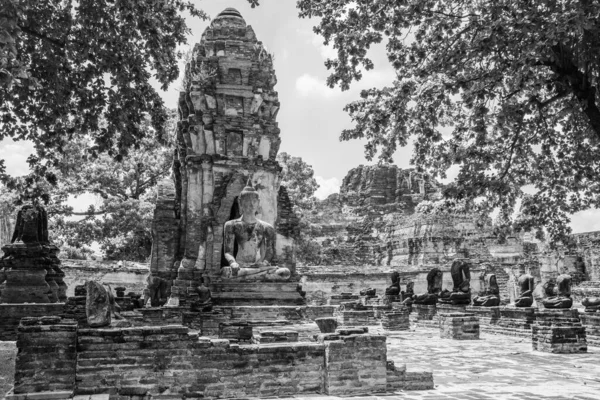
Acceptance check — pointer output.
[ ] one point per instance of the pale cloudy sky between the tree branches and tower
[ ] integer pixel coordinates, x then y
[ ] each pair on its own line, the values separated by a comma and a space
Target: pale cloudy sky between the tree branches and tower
311, 116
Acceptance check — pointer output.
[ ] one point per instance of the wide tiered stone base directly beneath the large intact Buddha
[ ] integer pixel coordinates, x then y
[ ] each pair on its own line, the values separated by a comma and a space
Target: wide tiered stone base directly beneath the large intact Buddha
236, 293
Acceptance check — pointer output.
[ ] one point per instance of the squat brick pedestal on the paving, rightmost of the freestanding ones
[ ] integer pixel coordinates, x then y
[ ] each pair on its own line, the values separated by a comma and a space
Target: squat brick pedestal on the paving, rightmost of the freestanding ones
558, 331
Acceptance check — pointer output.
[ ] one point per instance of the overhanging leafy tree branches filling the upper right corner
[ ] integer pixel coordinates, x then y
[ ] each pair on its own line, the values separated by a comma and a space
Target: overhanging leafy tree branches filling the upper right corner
506, 91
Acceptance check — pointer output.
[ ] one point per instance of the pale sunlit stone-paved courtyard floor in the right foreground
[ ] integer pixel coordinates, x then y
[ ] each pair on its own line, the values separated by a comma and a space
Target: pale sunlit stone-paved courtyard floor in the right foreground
494, 367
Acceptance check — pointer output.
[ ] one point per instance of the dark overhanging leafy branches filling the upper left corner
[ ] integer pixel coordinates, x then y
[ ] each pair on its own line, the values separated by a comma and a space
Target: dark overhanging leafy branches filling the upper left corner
67, 65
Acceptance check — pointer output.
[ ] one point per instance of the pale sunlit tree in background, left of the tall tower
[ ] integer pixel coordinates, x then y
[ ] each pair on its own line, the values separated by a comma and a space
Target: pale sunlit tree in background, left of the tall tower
121, 220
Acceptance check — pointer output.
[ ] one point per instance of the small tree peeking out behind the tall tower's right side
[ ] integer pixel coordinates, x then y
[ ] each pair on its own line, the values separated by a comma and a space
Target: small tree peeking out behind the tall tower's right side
298, 178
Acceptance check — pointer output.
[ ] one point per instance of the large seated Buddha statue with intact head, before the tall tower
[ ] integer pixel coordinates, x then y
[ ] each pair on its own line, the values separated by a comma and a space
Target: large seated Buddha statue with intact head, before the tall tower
254, 241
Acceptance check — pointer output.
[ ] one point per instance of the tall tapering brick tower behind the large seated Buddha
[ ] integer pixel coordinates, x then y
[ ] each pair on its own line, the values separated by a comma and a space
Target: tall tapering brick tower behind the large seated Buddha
227, 137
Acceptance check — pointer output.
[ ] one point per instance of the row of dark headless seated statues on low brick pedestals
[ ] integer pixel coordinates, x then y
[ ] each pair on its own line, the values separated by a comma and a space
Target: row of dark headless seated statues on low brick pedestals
554, 294
